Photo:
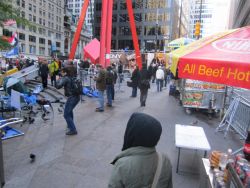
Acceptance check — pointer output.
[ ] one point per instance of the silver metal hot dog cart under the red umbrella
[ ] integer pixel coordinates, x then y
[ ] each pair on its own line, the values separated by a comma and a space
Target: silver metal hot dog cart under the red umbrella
202, 95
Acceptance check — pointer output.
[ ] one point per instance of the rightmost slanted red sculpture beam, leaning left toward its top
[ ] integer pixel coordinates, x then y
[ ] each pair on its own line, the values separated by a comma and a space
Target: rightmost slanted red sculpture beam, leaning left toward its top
134, 34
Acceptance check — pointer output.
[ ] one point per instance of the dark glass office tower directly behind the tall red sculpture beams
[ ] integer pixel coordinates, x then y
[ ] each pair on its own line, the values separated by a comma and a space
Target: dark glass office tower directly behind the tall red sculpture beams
156, 23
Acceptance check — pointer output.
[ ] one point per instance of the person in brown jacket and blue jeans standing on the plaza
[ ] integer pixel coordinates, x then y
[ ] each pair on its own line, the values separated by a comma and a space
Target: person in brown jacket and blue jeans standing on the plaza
100, 86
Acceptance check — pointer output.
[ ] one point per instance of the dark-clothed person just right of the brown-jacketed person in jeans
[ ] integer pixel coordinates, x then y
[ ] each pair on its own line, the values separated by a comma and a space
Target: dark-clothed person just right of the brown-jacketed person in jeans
109, 85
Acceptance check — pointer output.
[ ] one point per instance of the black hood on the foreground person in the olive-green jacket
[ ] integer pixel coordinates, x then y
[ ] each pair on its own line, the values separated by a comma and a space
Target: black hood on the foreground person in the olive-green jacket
142, 130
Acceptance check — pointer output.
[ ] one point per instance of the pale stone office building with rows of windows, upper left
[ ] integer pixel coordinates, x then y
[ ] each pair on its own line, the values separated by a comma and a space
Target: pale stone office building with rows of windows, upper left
46, 34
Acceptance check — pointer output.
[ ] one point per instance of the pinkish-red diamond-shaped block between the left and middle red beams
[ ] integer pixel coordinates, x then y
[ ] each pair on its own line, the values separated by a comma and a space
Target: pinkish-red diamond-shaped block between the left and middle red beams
92, 51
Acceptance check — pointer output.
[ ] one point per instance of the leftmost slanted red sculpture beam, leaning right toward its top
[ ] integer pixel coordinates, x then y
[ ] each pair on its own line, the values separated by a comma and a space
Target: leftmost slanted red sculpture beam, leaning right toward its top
79, 29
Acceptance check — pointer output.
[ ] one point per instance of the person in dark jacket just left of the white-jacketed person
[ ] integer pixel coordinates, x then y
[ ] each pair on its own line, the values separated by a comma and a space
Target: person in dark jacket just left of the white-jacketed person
144, 84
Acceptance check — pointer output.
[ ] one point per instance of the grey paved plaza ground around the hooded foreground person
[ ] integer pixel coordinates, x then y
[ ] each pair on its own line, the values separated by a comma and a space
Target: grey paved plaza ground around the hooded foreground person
83, 161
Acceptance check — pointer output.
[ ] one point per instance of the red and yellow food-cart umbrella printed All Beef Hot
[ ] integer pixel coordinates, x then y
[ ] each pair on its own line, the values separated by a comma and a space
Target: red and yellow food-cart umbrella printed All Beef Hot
222, 58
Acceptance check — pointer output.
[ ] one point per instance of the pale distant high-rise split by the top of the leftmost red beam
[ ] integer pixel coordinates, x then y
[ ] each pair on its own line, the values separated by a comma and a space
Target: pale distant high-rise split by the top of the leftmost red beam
75, 7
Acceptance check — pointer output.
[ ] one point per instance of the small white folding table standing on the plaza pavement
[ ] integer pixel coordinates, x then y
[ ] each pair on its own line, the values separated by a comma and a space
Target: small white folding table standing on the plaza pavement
190, 137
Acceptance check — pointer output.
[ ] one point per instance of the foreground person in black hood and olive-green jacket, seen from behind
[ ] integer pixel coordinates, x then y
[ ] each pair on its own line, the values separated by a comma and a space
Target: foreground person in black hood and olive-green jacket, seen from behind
139, 164
